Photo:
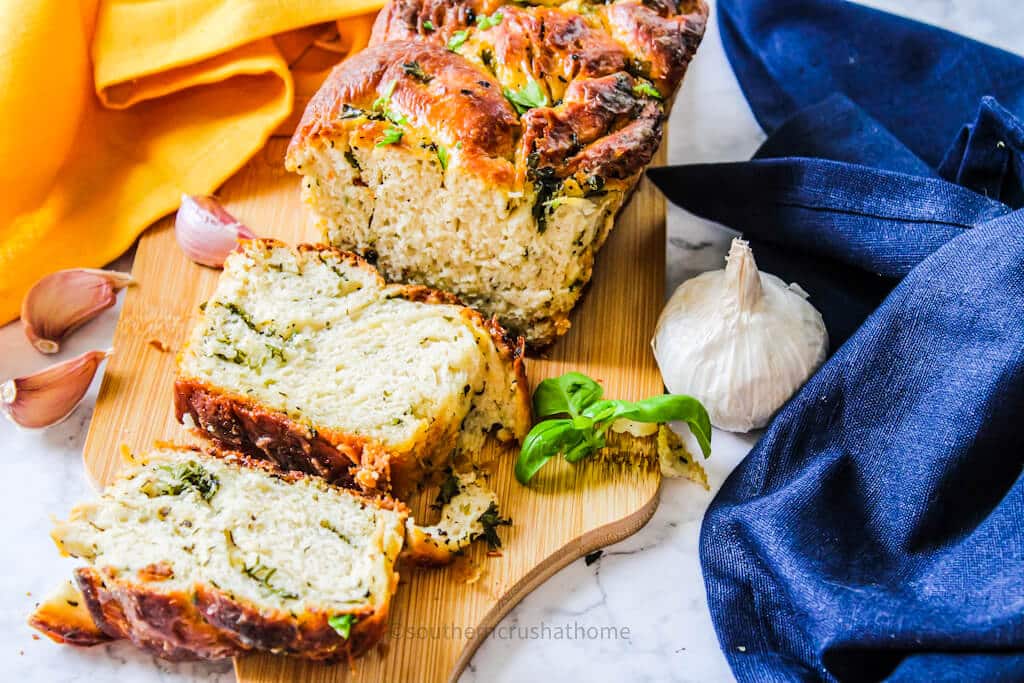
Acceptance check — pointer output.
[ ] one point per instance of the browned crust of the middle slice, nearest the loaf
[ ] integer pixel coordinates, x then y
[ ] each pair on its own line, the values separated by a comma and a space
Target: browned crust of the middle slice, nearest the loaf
238, 422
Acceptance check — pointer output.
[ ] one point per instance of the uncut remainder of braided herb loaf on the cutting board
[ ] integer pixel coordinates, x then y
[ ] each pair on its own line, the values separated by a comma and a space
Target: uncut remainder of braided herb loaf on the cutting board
485, 149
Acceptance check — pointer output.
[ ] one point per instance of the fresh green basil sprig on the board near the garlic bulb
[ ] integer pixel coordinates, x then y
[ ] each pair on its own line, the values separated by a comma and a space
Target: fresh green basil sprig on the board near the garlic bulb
588, 417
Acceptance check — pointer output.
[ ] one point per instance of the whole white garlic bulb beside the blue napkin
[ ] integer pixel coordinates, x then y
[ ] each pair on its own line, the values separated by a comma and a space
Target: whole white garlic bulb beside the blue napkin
740, 340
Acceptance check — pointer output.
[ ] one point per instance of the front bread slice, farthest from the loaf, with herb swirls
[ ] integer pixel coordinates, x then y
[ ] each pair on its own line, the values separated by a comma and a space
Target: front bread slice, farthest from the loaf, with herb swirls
209, 556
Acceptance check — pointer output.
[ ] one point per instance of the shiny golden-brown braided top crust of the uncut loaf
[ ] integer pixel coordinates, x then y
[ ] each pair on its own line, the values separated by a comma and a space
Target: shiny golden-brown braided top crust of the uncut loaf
588, 66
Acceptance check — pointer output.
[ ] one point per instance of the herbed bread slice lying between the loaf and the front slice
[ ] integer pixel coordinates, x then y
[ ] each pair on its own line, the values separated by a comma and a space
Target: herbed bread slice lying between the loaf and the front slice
308, 358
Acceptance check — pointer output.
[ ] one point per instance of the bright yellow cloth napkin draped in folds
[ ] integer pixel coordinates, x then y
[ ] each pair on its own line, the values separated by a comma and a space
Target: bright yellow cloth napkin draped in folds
112, 109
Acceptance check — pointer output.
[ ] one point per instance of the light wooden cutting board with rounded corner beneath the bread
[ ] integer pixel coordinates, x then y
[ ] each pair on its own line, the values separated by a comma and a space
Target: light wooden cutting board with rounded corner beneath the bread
440, 617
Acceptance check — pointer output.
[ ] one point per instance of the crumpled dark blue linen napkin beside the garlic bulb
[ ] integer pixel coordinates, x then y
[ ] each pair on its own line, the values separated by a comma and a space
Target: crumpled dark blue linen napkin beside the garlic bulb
877, 531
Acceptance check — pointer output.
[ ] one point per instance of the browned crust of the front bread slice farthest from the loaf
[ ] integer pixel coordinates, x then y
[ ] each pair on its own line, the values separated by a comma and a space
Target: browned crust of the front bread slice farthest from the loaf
206, 624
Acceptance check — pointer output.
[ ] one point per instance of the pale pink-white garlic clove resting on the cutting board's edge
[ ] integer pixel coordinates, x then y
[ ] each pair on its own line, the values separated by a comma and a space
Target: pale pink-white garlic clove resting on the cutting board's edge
206, 233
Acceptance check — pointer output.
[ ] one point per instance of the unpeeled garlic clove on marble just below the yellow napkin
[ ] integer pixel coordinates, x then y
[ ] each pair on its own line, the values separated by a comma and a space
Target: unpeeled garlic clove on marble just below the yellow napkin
65, 301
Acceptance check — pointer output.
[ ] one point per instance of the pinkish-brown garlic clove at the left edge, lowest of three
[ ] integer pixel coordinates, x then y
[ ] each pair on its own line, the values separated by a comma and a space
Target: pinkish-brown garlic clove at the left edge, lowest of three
49, 397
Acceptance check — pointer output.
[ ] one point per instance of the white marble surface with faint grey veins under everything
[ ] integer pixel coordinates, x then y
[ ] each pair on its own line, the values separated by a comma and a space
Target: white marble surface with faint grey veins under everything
650, 584
